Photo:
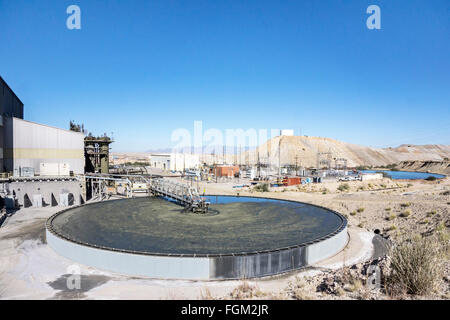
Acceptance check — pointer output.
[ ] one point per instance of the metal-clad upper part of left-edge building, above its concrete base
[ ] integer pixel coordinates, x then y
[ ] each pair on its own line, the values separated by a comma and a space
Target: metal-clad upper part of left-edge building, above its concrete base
34, 149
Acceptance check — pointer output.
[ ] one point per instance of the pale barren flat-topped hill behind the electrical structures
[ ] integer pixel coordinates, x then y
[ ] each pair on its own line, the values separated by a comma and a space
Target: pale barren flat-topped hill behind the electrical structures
304, 149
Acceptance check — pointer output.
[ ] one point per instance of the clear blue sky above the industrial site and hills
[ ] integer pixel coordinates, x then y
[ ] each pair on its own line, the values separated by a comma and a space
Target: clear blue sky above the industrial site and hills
141, 69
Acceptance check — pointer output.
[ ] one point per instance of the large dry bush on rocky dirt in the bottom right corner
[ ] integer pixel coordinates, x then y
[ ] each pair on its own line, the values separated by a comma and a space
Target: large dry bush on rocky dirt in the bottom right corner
415, 266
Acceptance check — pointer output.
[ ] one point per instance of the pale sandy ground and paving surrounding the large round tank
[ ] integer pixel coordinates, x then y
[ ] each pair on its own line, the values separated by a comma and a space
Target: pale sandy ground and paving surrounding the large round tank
29, 269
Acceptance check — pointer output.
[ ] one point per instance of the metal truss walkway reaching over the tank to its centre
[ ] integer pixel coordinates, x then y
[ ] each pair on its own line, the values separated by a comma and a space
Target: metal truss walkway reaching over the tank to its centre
183, 194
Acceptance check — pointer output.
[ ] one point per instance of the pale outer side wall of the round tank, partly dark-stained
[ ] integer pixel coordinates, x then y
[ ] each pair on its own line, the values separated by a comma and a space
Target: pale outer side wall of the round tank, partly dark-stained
208, 267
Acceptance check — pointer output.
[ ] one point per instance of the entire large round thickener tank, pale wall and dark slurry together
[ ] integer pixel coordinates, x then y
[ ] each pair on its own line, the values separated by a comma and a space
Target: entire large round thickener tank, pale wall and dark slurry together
240, 237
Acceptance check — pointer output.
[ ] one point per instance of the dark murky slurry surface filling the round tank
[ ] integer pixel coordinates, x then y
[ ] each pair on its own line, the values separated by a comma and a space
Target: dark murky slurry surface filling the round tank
235, 225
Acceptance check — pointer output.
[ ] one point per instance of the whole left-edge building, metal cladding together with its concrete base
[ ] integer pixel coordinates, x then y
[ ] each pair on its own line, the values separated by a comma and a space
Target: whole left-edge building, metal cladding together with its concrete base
29, 149
